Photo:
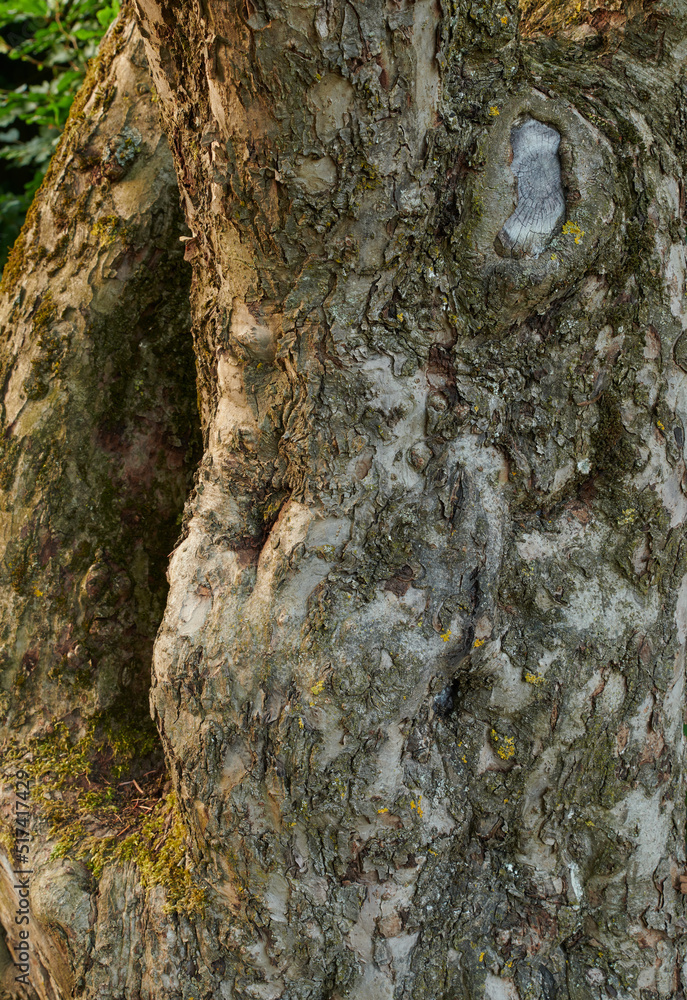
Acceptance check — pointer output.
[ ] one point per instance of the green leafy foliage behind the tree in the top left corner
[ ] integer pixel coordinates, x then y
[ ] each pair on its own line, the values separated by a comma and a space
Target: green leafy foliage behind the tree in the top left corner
45, 46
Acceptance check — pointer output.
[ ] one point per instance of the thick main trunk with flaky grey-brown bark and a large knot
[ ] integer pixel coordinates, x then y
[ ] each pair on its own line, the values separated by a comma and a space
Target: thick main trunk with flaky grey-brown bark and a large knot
420, 676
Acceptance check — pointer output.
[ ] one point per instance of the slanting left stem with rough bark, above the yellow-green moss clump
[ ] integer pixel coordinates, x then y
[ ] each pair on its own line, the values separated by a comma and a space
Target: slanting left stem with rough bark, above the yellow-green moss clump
96, 432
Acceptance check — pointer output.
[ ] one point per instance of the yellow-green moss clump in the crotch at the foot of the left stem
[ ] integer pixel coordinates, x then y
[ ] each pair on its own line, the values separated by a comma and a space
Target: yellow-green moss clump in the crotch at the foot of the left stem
83, 785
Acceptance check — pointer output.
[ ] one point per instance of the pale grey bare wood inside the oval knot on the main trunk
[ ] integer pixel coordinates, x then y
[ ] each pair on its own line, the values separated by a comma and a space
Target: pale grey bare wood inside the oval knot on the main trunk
541, 204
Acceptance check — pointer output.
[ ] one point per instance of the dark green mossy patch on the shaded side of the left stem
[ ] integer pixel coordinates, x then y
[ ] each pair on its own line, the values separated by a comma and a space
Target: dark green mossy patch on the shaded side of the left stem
142, 363
